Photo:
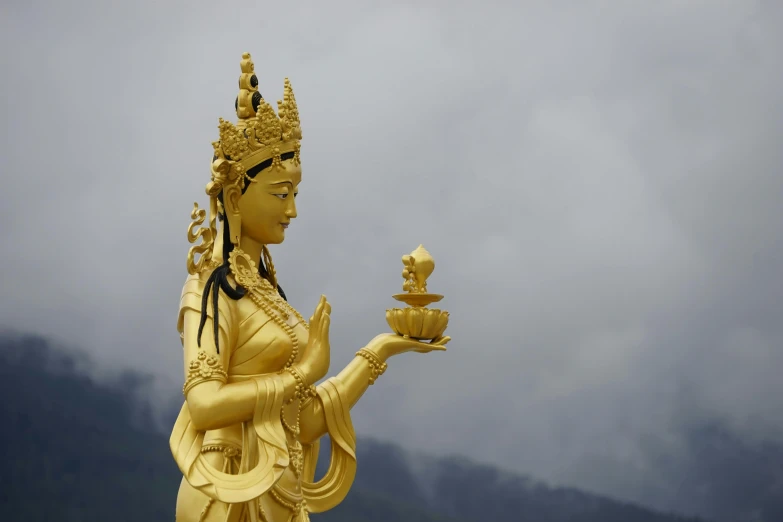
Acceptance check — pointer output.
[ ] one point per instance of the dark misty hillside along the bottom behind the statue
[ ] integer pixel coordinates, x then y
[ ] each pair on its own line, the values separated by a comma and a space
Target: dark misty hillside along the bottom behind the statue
75, 450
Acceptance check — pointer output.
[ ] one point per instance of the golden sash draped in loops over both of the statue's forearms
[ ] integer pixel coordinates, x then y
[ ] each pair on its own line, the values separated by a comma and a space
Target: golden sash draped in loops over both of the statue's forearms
265, 456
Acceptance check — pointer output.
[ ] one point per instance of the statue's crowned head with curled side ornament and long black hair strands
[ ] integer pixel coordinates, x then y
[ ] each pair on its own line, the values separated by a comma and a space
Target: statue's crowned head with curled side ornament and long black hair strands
256, 172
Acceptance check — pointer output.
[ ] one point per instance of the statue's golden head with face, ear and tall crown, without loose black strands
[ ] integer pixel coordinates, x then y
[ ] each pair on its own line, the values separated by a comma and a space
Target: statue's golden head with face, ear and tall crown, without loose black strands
256, 167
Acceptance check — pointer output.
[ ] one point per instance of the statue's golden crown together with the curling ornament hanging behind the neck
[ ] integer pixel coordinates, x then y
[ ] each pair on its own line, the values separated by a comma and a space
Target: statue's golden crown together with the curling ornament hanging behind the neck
258, 136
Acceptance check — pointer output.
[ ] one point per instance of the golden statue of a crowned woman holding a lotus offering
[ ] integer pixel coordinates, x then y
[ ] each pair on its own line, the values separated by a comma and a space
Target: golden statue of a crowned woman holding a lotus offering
247, 437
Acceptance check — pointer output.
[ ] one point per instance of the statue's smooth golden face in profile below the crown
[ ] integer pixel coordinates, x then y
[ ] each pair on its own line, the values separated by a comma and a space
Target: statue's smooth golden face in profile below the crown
268, 205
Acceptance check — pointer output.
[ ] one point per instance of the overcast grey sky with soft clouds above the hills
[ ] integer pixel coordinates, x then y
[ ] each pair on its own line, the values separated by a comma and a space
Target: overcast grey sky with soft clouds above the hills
600, 184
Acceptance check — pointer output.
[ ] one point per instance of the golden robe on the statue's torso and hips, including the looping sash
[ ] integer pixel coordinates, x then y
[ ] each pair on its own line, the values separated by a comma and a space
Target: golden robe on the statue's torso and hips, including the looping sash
244, 472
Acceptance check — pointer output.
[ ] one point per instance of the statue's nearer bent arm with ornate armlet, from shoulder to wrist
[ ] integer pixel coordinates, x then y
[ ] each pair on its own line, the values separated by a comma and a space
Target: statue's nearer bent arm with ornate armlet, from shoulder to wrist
213, 403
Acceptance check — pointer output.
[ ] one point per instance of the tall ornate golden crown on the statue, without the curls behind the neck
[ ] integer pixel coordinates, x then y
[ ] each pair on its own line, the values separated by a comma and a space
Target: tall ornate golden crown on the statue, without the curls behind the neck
258, 135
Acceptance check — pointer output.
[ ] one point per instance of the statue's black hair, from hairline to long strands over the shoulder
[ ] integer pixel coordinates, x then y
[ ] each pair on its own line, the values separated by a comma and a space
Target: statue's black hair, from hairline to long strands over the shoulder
218, 280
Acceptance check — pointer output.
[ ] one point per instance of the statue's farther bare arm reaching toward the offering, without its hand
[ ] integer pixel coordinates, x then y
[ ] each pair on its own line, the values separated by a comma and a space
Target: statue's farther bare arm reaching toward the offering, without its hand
356, 377
